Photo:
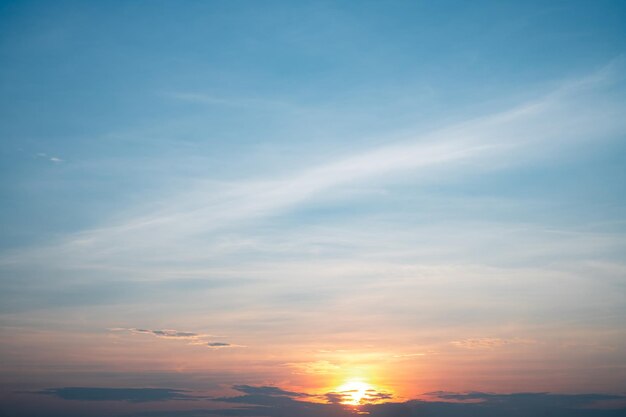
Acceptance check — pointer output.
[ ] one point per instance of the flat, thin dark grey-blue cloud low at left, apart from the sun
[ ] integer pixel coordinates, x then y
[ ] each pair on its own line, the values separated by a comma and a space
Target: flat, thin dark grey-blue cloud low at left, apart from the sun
118, 394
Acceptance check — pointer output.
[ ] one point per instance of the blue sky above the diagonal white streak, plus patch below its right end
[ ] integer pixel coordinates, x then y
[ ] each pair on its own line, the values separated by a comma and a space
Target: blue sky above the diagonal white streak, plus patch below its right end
109, 88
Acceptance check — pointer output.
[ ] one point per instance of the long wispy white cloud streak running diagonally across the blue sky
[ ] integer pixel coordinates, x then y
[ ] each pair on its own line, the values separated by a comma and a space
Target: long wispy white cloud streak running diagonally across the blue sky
578, 111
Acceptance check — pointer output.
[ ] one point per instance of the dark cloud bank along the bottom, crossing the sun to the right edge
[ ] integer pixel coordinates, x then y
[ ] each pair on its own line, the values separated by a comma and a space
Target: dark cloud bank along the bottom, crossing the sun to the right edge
275, 402
